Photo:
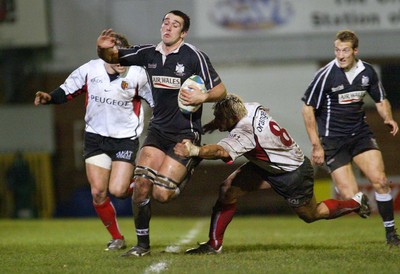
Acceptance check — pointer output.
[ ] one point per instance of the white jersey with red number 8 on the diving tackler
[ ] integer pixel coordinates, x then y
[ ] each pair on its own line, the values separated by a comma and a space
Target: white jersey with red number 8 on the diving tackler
263, 141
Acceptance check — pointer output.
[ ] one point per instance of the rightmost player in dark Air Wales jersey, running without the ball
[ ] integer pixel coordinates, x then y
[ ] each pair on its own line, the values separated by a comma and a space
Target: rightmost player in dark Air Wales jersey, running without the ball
335, 122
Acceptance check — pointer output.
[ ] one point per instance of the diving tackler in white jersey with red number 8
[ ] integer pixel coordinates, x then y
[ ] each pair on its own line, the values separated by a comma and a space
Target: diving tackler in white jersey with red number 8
275, 161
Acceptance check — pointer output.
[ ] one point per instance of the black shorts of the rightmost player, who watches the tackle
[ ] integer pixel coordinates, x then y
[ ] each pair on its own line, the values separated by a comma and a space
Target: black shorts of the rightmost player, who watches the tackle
340, 151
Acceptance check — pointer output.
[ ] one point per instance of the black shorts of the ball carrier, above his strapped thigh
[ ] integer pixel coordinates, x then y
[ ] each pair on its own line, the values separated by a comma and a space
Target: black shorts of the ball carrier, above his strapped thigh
167, 142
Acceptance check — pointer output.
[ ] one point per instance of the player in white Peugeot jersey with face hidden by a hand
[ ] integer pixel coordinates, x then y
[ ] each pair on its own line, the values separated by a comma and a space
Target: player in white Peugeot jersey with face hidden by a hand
114, 121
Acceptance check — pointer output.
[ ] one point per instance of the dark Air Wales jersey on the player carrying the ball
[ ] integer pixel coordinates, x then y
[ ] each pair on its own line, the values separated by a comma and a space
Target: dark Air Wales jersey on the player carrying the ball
166, 80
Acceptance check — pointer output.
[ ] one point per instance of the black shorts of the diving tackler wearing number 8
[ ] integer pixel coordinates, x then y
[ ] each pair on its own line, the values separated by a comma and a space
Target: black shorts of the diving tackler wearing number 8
297, 187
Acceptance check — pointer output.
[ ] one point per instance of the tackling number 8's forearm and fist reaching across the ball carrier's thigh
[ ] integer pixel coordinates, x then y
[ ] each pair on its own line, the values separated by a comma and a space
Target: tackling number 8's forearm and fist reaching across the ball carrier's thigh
212, 152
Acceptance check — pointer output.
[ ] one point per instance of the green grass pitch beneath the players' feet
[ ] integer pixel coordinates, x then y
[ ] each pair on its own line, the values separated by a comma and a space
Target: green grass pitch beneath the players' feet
253, 244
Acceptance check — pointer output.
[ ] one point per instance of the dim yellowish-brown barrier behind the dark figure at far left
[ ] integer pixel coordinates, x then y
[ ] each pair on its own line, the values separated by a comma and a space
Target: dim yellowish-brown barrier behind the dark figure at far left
41, 170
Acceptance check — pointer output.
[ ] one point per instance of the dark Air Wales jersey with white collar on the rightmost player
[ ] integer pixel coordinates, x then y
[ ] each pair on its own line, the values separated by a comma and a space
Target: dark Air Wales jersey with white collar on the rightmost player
338, 103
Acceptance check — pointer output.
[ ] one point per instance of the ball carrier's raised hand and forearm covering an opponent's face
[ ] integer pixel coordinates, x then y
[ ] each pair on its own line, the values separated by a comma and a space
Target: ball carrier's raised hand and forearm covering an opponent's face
106, 49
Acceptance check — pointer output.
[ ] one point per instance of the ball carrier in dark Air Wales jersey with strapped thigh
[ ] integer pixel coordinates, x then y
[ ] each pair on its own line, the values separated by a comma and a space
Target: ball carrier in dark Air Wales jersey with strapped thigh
160, 174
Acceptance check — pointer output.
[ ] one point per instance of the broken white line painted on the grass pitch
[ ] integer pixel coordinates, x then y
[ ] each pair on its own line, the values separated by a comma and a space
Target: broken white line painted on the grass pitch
163, 265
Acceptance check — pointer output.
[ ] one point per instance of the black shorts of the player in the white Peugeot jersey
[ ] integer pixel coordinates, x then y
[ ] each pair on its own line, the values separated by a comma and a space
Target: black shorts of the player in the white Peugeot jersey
123, 149
